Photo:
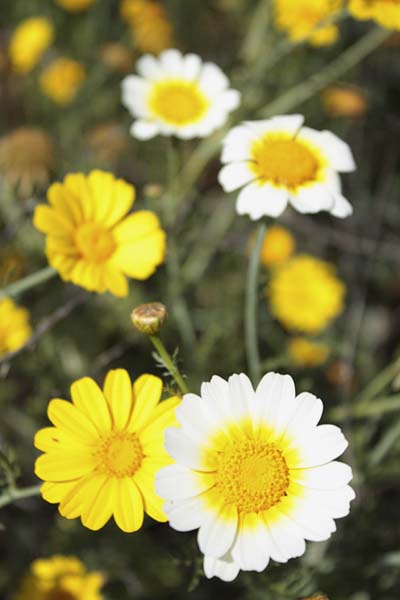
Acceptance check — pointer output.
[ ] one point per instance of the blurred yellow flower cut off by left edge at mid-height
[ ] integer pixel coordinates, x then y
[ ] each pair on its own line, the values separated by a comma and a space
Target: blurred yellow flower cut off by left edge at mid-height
14, 326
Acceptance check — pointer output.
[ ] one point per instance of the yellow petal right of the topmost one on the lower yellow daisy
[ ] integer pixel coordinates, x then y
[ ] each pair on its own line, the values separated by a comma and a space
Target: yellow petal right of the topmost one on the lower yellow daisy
146, 395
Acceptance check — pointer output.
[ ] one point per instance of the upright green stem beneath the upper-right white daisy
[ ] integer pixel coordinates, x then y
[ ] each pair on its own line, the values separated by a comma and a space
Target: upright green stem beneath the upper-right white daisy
251, 308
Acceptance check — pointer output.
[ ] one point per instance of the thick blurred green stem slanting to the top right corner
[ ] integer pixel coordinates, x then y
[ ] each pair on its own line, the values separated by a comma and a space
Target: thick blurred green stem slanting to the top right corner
336, 69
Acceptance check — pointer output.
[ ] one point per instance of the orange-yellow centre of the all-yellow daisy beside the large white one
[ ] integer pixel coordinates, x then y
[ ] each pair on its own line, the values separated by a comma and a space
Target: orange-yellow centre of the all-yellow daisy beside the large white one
120, 455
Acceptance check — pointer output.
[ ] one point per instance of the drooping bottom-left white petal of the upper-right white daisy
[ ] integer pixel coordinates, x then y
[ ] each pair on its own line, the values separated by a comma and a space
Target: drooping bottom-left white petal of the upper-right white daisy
258, 200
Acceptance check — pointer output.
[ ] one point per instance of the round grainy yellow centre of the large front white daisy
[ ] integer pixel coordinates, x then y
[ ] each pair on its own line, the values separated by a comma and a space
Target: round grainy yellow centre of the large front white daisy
252, 475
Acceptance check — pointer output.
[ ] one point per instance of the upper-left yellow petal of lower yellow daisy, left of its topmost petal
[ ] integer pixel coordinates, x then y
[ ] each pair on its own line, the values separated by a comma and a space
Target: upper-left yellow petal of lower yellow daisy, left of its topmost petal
89, 400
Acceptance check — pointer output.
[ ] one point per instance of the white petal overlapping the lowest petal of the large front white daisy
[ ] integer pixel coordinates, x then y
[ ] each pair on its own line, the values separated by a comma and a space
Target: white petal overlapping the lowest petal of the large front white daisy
218, 530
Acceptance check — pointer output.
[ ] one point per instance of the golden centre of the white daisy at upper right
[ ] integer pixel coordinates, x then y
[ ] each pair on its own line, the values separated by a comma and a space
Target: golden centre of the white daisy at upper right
284, 161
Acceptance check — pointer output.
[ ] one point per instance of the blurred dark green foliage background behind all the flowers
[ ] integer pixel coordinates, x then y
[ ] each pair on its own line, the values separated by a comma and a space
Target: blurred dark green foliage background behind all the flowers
202, 285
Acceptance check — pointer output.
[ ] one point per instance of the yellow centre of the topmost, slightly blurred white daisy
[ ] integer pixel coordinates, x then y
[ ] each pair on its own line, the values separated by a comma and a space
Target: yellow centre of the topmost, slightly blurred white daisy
178, 102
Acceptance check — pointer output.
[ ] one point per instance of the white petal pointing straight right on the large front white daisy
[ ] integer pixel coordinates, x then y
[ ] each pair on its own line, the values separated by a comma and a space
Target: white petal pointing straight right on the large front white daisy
332, 476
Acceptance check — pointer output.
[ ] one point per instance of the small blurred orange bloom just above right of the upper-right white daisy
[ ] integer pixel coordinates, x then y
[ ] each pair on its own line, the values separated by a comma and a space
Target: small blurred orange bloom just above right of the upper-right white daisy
344, 101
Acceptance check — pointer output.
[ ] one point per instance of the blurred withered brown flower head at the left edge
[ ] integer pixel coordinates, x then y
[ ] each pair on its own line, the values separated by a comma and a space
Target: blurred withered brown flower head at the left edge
26, 158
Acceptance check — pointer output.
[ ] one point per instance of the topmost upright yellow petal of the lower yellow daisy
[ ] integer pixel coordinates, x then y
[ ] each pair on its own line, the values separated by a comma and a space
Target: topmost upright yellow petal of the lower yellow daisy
118, 392
